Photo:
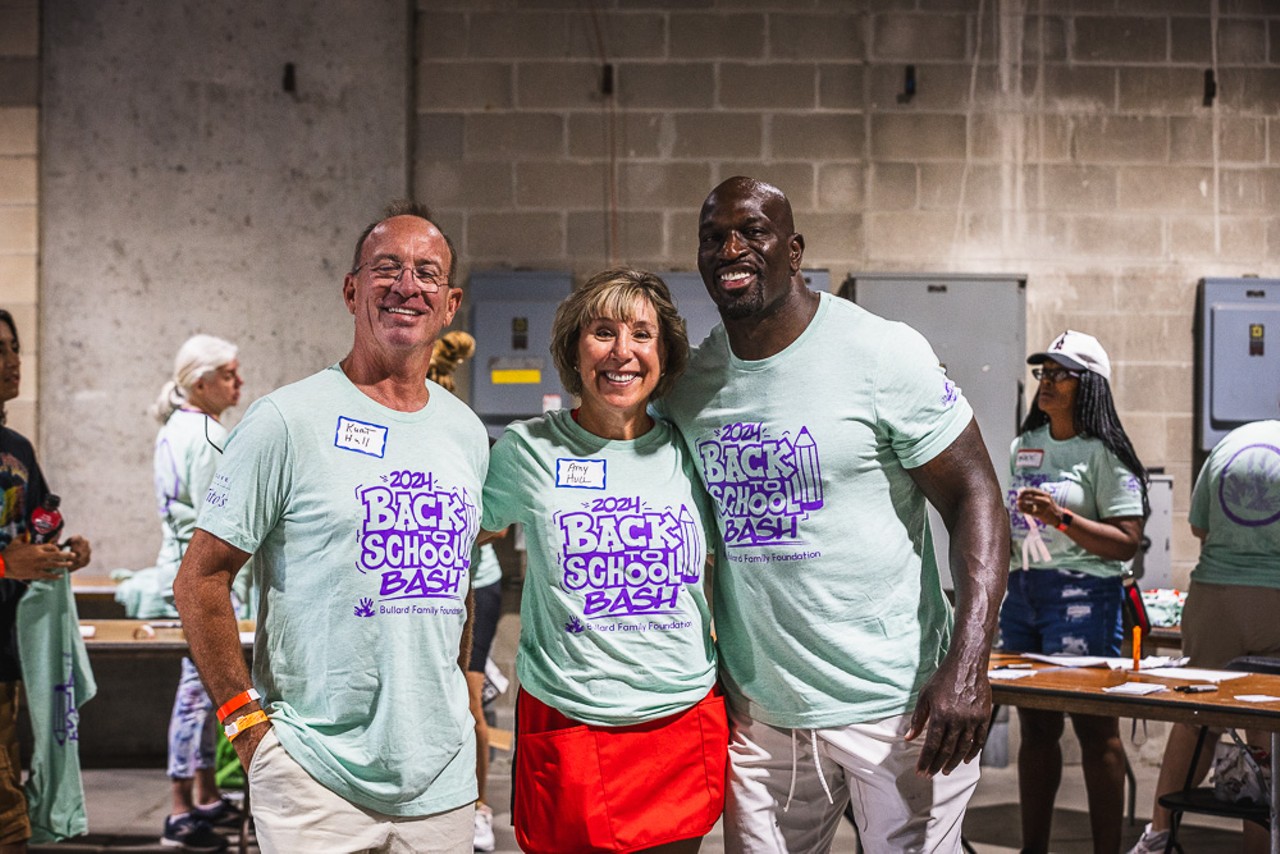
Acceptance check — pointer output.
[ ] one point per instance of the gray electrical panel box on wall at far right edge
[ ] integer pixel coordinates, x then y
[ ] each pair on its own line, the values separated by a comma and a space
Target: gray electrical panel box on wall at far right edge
1237, 355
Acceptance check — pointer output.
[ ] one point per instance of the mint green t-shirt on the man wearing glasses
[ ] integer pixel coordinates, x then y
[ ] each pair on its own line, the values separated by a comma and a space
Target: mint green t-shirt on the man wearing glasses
362, 522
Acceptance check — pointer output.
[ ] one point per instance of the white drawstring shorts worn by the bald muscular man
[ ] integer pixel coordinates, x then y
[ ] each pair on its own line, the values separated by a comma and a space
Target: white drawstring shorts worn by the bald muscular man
871, 764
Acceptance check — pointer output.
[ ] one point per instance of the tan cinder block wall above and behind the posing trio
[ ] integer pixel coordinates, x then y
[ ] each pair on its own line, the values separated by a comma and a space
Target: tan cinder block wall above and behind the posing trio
1067, 140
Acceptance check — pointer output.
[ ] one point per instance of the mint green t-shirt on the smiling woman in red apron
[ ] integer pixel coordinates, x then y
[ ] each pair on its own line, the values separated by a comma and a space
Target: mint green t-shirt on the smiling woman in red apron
615, 627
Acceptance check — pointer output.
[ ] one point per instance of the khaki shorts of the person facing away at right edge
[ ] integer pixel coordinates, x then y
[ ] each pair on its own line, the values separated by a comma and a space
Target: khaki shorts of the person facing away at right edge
1226, 622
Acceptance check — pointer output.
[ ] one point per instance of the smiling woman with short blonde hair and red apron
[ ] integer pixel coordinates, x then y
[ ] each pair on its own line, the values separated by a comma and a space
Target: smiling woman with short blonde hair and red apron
616, 664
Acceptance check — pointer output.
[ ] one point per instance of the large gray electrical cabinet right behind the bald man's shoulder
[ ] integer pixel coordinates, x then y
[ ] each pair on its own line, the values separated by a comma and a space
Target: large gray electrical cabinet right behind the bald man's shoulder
977, 326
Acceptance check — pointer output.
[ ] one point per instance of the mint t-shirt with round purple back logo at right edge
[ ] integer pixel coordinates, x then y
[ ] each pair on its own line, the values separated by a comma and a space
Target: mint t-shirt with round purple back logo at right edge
1237, 500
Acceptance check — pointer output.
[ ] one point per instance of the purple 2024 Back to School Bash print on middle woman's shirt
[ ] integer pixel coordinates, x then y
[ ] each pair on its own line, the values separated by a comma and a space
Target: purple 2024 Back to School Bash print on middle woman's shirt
627, 559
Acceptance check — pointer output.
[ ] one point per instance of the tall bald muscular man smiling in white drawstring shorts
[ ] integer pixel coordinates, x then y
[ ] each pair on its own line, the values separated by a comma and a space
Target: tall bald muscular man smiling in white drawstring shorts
821, 431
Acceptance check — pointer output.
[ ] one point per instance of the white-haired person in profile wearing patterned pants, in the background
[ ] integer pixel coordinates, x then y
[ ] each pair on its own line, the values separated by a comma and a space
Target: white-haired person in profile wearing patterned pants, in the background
205, 383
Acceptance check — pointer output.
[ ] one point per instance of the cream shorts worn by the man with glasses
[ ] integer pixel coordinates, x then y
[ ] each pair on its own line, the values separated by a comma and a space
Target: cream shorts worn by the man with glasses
294, 814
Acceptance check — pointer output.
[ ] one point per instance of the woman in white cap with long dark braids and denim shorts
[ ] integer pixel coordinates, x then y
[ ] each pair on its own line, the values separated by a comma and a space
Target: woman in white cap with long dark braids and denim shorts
1077, 487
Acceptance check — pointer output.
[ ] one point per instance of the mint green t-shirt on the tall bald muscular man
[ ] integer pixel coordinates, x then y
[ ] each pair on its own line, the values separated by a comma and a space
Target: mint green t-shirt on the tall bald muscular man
829, 605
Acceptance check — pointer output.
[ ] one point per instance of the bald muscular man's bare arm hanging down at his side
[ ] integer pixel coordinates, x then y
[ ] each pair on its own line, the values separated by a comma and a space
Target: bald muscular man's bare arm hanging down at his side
956, 704
